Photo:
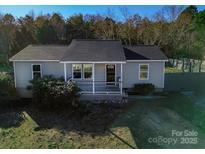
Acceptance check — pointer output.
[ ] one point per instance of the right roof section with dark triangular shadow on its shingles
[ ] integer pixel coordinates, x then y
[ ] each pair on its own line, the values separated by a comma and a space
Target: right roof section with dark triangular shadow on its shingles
144, 52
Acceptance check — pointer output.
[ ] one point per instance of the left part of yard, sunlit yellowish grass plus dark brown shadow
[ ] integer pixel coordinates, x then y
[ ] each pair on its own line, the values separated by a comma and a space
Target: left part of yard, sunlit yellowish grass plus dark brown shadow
45, 129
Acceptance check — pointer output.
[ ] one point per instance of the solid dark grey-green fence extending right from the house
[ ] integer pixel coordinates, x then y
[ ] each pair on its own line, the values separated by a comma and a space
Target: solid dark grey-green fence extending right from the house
184, 81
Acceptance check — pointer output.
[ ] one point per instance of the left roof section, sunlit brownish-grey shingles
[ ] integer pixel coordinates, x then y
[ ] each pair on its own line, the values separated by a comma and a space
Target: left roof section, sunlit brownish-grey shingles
41, 52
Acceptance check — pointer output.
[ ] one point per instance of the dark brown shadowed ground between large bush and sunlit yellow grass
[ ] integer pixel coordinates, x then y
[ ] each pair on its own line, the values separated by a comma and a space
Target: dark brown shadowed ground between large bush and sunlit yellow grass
96, 120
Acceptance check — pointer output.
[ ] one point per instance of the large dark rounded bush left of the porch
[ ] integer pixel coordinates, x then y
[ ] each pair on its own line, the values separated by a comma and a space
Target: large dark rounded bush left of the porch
54, 92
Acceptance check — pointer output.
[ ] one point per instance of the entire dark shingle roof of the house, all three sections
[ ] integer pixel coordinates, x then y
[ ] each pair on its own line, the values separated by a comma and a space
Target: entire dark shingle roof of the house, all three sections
90, 50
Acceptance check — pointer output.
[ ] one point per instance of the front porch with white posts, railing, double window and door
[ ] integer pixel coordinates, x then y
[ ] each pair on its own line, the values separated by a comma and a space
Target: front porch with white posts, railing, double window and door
97, 78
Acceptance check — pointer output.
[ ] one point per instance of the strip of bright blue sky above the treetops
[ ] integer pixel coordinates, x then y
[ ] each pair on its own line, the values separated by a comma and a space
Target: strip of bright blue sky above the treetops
68, 10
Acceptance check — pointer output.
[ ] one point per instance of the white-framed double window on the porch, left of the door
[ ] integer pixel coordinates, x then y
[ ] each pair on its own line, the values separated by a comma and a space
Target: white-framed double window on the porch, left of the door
82, 71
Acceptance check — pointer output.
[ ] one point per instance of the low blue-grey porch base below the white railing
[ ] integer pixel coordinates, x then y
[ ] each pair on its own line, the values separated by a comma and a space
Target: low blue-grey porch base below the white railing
105, 98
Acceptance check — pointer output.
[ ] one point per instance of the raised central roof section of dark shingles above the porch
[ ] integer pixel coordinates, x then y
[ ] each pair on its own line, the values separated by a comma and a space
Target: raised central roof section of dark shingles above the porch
94, 50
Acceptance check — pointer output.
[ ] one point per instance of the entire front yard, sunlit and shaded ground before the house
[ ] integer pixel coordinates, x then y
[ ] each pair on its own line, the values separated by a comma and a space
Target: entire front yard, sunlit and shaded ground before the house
105, 127
